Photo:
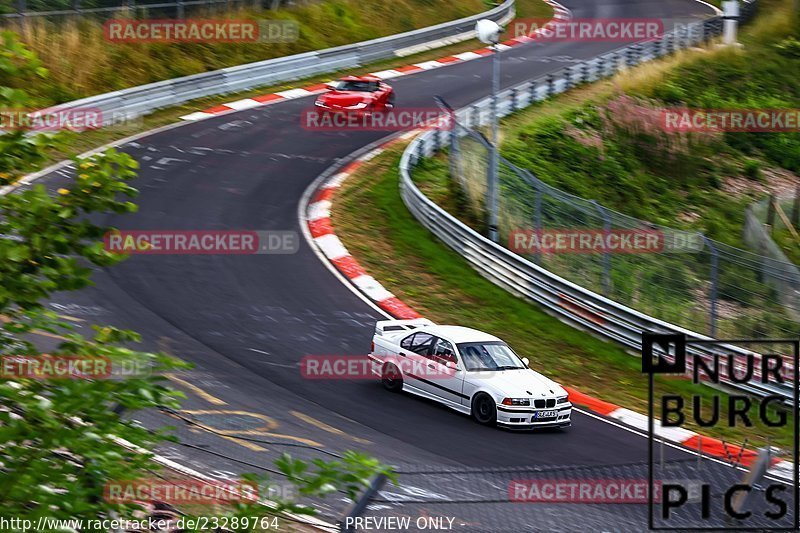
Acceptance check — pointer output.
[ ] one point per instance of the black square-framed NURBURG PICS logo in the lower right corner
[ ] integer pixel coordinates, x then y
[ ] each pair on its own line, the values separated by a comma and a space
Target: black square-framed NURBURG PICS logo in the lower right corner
734, 384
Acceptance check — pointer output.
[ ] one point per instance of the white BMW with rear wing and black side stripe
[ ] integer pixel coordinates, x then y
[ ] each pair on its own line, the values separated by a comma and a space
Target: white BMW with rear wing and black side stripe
468, 370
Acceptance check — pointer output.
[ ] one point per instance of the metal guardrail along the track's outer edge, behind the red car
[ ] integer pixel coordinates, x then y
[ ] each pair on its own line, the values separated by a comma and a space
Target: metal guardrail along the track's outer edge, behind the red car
137, 101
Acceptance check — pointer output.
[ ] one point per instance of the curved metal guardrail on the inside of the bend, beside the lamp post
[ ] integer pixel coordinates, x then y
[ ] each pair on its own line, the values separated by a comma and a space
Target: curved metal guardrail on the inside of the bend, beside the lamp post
568, 301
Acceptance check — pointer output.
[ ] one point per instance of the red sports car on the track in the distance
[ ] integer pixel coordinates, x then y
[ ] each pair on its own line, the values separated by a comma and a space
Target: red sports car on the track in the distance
363, 94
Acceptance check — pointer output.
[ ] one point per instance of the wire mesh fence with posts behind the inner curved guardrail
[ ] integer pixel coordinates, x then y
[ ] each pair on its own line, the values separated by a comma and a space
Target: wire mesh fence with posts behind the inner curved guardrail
687, 279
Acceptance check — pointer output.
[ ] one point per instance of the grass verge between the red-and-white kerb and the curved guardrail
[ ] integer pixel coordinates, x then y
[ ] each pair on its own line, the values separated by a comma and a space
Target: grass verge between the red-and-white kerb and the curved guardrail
375, 226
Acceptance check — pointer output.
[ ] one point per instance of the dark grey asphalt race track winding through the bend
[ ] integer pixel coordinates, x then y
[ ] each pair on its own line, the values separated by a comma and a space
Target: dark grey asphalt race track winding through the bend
246, 321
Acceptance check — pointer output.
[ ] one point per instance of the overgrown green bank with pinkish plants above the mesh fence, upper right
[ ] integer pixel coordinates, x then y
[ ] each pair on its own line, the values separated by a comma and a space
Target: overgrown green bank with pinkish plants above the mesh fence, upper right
608, 144
